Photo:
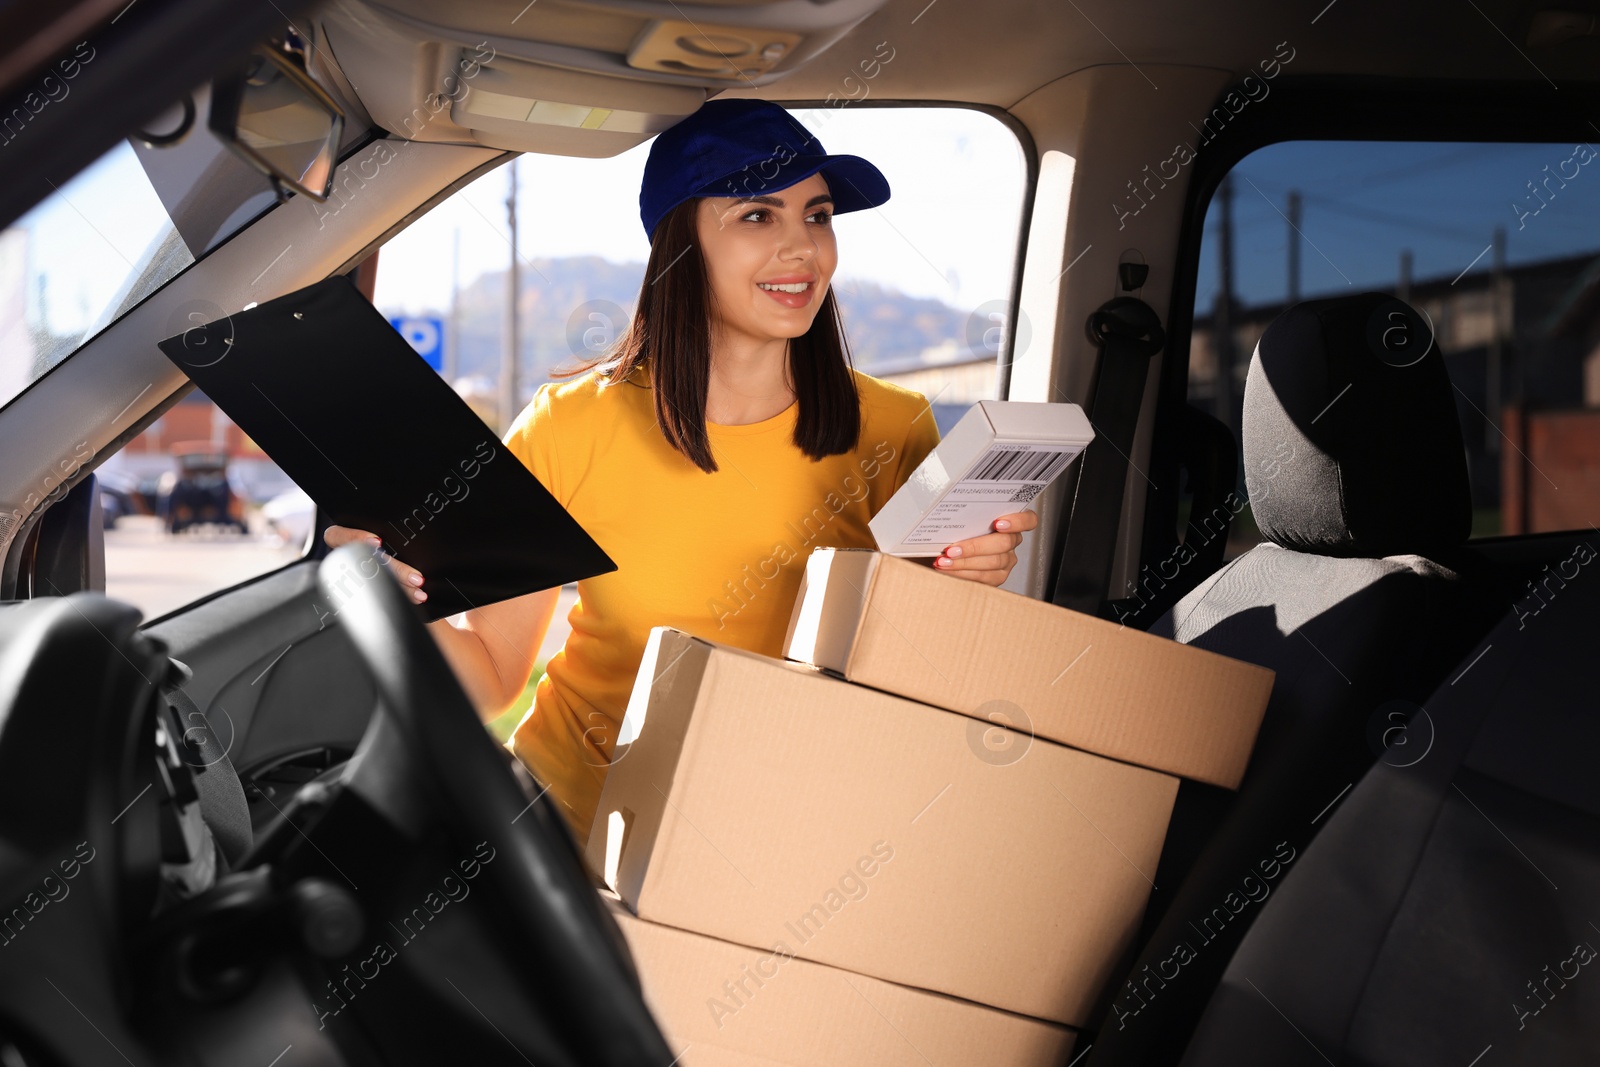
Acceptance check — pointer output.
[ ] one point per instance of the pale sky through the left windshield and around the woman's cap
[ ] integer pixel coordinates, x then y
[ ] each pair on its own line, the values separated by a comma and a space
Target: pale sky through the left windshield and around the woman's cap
948, 233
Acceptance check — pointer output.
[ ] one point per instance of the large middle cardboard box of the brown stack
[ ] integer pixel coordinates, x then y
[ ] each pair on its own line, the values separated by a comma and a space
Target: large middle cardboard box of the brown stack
767, 804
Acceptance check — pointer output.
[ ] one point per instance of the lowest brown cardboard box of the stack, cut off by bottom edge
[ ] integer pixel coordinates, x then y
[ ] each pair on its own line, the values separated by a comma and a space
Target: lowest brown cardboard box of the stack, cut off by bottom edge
726, 1005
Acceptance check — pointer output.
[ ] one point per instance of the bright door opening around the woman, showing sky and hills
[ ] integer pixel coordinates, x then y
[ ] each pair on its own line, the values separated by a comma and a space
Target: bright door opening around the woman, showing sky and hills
924, 282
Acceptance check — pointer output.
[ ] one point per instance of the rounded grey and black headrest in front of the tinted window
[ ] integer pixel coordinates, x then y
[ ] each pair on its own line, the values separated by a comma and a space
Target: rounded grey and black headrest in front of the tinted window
1351, 438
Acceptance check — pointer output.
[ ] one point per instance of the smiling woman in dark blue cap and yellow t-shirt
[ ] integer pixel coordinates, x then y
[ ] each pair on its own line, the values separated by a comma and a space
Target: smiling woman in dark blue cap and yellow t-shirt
722, 441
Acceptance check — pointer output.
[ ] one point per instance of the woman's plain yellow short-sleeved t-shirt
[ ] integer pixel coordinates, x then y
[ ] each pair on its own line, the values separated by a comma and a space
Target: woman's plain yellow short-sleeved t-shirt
719, 556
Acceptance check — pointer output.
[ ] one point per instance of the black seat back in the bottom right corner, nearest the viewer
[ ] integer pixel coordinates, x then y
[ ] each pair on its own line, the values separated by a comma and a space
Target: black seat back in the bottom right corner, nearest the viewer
1450, 911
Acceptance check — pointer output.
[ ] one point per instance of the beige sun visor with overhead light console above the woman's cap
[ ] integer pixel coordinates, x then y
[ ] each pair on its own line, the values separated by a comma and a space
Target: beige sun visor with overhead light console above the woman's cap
590, 81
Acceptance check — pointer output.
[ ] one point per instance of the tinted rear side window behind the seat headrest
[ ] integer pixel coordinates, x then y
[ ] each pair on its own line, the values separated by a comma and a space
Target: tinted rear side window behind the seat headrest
1497, 244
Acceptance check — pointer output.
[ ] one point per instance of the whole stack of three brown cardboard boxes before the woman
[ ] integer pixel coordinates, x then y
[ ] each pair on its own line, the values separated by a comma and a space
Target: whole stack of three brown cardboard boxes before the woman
970, 844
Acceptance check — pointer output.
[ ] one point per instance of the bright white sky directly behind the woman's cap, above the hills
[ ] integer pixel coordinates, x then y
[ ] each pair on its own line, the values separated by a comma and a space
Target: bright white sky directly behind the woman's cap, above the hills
948, 231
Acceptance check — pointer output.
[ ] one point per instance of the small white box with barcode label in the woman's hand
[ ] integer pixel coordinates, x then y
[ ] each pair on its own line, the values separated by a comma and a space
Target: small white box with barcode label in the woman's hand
994, 462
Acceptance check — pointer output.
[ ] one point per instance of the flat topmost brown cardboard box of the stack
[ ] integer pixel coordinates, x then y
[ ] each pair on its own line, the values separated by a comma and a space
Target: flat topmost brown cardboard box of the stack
1062, 674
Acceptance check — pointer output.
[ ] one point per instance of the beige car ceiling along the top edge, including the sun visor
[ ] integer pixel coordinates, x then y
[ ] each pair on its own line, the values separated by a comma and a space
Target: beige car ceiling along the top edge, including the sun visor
396, 54
